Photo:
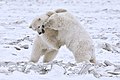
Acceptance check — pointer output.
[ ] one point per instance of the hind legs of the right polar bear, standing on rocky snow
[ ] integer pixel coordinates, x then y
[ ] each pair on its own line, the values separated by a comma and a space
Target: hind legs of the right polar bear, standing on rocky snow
83, 52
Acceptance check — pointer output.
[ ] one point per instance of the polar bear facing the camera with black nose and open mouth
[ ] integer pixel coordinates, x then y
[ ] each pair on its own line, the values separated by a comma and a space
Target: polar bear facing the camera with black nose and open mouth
44, 44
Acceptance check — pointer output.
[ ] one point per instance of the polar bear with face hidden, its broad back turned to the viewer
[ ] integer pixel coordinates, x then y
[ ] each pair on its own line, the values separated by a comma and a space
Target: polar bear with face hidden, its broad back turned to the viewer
73, 35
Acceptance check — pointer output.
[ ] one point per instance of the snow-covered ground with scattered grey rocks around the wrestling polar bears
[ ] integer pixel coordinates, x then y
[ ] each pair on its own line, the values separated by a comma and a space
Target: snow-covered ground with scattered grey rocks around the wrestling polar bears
101, 18
